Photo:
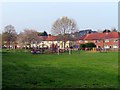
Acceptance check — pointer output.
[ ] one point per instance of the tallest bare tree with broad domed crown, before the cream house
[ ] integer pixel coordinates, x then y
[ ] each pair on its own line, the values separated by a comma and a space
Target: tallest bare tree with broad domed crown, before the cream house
63, 26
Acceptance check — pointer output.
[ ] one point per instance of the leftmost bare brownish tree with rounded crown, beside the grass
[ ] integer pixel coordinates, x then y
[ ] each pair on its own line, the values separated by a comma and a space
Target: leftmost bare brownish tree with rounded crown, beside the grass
9, 35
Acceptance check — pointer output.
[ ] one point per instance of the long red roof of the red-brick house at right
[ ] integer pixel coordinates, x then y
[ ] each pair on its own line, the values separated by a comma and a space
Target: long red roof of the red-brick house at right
97, 36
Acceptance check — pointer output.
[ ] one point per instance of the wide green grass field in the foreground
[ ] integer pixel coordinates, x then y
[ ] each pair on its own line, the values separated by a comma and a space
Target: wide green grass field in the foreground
81, 69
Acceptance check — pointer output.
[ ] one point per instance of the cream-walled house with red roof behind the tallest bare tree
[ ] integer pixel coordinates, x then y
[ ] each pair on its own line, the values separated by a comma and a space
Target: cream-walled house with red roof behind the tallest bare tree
47, 41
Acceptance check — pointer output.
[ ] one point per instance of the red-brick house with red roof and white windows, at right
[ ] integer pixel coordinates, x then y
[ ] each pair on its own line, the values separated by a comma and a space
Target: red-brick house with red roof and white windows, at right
102, 40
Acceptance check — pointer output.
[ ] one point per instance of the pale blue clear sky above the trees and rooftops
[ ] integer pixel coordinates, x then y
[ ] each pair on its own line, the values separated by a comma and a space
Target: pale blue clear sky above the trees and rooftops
41, 15
